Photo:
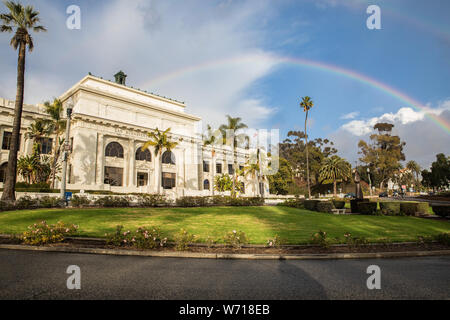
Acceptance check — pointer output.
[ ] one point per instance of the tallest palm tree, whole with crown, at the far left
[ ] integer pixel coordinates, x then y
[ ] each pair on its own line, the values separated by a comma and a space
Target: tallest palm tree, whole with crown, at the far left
21, 20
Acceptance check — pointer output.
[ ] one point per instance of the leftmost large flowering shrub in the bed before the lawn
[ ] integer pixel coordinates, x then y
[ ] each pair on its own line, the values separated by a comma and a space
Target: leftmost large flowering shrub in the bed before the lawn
42, 233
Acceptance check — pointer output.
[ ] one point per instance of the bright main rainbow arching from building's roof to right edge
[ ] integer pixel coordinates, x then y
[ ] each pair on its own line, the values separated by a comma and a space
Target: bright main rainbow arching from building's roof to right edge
333, 69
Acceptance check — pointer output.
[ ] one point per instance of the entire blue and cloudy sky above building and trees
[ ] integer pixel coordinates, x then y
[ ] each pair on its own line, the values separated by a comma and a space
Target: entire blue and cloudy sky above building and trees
150, 39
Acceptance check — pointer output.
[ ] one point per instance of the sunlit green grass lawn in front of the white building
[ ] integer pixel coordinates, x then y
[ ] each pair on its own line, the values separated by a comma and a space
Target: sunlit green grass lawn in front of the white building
259, 223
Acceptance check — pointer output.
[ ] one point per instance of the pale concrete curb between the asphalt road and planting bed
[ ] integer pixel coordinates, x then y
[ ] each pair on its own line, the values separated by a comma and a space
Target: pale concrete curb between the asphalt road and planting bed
229, 256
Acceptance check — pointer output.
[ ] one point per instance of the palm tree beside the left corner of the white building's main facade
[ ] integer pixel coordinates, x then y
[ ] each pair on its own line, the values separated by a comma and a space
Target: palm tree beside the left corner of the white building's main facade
56, 126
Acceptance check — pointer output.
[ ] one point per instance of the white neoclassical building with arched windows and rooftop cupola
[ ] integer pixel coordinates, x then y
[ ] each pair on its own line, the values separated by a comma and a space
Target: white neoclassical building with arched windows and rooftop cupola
110, 123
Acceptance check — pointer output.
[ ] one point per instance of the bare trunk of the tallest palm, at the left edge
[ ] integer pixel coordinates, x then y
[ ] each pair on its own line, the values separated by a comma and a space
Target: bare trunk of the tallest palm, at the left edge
9, 193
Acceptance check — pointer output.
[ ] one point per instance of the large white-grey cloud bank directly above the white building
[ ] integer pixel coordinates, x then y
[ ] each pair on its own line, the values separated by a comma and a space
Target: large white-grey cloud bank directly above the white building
150, 39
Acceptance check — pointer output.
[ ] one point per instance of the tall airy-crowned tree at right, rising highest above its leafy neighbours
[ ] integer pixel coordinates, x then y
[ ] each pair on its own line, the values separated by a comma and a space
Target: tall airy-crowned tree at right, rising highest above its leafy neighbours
383, 155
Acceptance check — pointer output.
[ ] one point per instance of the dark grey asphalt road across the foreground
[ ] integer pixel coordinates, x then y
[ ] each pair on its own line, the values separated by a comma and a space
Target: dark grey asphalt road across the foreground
42, 275
